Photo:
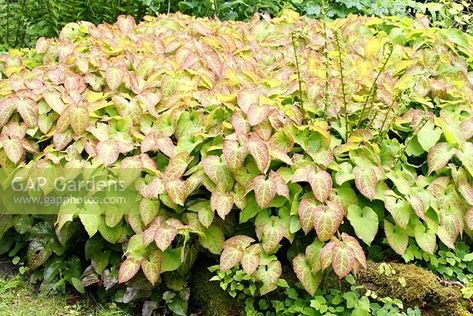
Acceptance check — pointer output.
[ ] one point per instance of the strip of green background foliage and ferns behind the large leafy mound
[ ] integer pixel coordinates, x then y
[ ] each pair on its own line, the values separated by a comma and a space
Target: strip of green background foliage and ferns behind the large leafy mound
23, 21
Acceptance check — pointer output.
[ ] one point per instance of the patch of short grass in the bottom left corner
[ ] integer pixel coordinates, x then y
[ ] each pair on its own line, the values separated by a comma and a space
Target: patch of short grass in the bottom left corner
18, 298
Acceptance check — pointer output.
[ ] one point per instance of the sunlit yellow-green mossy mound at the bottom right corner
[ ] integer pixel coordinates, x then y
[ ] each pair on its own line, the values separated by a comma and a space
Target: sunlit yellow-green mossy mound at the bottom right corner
421, 288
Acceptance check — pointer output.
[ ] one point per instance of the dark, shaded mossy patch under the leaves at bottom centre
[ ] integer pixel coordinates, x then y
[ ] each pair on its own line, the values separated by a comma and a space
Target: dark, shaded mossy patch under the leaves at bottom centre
208, 296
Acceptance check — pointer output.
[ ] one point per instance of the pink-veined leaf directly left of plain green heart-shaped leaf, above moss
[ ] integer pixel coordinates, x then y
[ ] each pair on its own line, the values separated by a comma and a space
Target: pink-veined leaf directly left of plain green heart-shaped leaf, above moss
326, 222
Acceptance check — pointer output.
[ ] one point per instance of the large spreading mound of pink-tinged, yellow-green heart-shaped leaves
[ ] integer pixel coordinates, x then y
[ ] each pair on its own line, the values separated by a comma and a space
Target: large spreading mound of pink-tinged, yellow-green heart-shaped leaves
275, 141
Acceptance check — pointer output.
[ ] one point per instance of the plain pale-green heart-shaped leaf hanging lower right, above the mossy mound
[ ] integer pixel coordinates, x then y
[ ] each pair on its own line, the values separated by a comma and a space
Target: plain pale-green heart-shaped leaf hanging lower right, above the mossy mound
364, 221
